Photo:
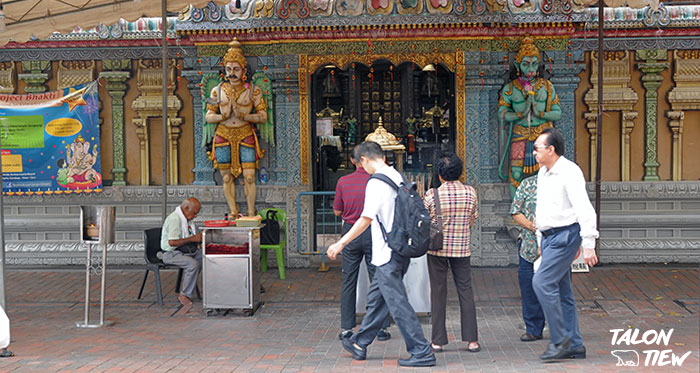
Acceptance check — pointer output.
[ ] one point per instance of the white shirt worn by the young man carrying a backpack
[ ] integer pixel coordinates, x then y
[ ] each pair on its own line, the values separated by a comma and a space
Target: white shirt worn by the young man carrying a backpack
380, 199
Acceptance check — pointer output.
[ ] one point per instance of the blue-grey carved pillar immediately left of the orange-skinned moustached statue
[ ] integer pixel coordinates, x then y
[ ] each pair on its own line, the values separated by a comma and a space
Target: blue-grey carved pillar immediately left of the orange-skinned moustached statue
194, 70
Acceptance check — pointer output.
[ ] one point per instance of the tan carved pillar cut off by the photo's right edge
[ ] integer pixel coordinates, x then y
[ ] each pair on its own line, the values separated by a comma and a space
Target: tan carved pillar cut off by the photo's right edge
684, 96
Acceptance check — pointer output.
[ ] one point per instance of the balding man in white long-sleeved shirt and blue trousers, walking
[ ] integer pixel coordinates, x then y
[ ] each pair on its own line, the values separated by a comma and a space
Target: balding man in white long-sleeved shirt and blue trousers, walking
566, 221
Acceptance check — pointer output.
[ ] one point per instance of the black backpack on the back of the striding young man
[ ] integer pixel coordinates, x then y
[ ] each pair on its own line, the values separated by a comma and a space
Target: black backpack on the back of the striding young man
410, 232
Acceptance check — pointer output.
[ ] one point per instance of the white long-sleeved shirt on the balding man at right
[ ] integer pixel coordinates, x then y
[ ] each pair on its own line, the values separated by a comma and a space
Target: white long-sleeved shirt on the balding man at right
562, 200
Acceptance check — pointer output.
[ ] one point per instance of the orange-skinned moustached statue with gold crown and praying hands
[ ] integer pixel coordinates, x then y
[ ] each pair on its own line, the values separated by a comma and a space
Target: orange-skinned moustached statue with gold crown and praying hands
233, 107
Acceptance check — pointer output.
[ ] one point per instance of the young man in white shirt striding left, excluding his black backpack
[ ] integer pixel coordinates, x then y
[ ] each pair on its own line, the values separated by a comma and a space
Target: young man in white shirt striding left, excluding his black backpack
387, 293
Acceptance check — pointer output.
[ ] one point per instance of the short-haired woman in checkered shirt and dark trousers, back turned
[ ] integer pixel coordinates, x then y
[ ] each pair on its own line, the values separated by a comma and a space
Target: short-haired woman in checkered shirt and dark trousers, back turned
453, 209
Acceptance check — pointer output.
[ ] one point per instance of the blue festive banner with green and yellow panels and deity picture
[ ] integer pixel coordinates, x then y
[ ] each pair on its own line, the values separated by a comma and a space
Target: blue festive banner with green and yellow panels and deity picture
51, 142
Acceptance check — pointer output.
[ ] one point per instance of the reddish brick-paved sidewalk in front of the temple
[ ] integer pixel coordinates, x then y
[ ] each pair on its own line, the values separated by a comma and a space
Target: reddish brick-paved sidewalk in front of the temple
296, 329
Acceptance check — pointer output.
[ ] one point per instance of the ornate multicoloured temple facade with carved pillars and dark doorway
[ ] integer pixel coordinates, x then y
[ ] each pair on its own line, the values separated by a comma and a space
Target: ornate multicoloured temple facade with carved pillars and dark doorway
431, 70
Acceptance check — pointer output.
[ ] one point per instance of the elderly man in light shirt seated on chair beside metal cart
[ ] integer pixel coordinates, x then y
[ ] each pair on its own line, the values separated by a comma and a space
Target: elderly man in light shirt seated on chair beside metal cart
179, 242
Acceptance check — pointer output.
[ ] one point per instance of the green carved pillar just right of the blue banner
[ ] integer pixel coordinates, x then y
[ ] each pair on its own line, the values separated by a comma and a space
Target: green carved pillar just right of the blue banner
116, 73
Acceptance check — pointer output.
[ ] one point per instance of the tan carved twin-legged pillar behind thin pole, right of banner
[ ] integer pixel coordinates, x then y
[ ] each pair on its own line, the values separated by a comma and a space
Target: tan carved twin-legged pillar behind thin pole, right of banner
149, 104
